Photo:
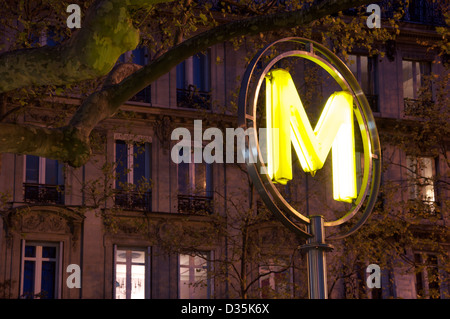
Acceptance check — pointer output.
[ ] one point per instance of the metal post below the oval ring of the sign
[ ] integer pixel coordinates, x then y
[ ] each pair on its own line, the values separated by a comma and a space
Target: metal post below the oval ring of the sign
316, 259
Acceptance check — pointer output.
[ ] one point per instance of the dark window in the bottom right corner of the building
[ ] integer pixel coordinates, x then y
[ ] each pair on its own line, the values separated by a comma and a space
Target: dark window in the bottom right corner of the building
427, 276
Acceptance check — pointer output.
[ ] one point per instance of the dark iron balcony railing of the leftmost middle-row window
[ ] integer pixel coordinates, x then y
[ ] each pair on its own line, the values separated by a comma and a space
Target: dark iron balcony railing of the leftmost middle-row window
43, 193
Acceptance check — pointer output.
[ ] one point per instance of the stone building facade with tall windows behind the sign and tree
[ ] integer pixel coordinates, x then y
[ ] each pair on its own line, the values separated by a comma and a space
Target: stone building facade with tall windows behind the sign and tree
138, 225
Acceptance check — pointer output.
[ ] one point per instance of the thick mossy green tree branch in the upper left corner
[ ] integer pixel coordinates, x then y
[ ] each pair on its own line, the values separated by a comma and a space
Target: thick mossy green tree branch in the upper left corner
107, 32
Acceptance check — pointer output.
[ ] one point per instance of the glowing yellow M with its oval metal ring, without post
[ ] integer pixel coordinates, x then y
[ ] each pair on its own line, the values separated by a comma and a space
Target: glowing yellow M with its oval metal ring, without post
287, 124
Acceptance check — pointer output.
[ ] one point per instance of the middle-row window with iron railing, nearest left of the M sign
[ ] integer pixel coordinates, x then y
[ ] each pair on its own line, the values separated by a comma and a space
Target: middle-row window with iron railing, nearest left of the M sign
194, 187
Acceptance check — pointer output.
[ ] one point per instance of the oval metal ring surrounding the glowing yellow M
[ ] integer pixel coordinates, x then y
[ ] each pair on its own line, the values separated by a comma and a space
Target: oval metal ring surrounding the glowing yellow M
372, 150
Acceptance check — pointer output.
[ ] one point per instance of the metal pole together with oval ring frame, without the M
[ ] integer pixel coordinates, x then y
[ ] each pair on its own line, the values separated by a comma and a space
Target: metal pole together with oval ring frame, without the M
315, 246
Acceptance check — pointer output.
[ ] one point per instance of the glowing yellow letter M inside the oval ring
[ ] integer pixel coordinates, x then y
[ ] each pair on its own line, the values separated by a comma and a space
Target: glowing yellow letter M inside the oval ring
288, 122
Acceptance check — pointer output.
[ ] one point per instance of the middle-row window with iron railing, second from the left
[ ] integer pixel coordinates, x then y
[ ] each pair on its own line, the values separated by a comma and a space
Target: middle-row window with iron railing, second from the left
133, 168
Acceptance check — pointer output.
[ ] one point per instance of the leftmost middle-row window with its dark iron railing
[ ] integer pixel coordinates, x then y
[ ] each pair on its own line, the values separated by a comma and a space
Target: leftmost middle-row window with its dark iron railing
44, 180
